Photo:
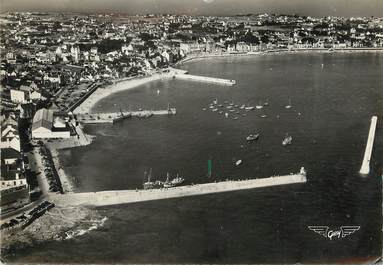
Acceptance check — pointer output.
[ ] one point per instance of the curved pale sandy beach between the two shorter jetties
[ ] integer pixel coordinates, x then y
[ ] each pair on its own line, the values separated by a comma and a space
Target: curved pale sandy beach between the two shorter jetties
121, 85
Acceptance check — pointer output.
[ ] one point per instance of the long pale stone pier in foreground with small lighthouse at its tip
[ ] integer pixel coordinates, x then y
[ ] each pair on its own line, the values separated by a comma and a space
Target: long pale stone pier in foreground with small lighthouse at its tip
104, 198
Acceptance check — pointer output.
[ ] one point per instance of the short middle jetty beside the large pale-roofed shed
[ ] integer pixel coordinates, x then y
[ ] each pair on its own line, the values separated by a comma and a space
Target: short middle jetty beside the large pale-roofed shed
93, 118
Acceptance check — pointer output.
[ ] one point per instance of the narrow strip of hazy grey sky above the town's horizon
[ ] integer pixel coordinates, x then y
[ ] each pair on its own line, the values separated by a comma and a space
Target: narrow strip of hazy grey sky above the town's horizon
345, 8
